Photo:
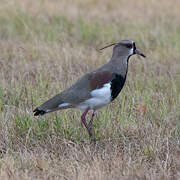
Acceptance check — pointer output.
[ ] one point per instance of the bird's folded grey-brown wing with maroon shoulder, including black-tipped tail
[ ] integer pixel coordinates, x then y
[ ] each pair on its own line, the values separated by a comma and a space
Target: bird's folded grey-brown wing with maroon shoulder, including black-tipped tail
77, 93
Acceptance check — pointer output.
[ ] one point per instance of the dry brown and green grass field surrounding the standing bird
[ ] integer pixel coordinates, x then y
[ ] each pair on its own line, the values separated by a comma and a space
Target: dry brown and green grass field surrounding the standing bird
45, 46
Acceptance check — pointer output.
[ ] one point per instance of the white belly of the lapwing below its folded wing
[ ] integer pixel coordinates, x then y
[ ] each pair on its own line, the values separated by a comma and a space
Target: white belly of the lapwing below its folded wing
99, 98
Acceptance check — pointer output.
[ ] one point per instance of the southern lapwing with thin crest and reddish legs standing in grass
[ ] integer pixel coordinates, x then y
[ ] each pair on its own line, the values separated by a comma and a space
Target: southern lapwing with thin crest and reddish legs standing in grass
97, 88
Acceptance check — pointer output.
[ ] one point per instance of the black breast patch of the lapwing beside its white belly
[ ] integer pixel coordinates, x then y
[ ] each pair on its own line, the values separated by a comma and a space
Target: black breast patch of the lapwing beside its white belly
117, 84
